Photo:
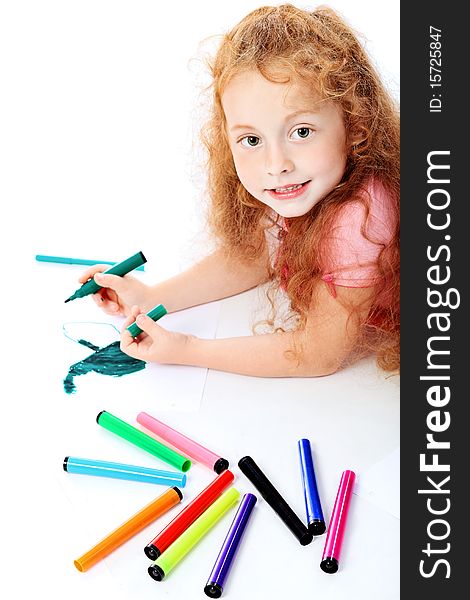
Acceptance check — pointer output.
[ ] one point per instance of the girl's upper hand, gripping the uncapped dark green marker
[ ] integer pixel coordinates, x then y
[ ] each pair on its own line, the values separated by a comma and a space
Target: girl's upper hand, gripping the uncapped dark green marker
118, 294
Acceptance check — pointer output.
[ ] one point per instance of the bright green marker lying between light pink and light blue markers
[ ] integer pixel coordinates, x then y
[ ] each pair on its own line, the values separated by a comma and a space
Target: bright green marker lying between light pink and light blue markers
142, 440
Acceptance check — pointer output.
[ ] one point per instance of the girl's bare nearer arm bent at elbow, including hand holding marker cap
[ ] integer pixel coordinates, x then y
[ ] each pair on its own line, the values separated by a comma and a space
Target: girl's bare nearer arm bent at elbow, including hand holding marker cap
328, 338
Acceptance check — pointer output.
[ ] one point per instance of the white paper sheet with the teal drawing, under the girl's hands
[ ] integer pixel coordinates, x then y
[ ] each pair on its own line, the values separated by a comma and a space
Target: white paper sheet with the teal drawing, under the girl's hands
162, 386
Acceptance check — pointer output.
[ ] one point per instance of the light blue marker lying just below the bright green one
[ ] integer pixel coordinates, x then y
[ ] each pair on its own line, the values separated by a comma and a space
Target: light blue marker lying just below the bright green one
101, 468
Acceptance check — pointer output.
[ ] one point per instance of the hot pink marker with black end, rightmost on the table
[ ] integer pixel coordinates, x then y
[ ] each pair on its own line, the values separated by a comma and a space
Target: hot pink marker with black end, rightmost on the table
334, 537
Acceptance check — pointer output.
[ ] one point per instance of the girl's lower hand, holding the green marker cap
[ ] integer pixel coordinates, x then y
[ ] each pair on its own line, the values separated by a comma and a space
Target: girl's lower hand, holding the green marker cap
154, 344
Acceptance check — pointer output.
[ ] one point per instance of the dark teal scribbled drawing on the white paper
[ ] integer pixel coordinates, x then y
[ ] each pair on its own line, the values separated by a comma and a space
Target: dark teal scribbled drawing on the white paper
109, 360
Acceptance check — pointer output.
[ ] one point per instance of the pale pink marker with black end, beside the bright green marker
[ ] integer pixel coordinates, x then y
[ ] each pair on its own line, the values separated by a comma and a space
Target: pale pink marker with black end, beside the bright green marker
180, 441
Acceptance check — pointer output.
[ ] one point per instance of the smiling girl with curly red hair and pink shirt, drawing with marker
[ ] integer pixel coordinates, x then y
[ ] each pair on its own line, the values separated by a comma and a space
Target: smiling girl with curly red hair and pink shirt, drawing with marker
303, 167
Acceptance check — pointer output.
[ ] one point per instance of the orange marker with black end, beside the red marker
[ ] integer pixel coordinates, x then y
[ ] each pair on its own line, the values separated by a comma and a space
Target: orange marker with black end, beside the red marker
128, 529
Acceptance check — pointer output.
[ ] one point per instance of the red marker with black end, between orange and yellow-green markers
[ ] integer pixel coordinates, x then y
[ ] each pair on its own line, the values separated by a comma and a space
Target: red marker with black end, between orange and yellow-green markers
188, 515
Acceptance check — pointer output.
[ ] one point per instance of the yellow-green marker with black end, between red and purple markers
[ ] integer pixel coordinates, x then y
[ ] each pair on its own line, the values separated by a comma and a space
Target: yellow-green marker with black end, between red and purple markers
189, 538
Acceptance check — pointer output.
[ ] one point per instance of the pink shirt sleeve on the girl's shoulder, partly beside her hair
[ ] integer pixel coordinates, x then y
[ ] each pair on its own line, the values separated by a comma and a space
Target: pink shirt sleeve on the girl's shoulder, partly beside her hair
351, 248
